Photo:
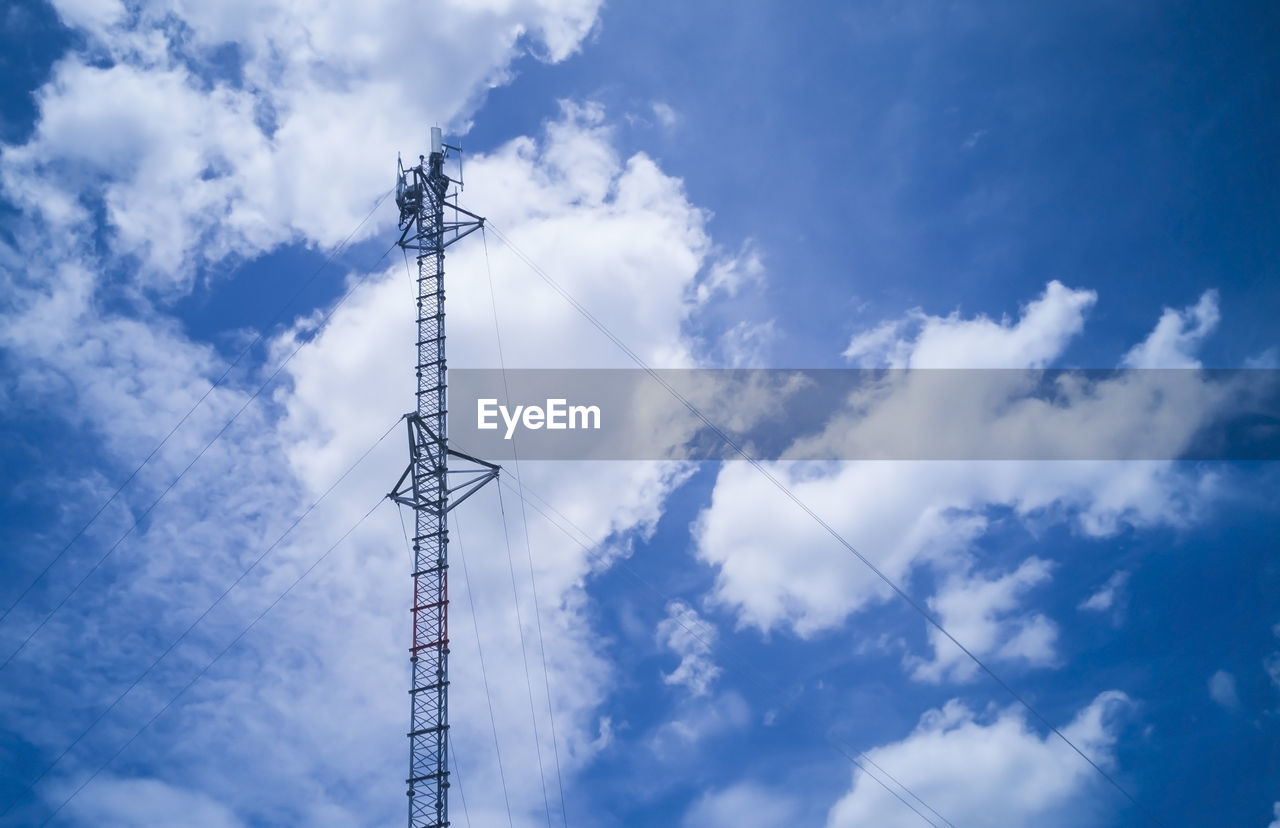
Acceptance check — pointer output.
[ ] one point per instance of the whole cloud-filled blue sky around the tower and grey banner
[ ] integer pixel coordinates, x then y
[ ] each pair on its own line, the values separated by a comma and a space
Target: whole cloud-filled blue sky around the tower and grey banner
917, 185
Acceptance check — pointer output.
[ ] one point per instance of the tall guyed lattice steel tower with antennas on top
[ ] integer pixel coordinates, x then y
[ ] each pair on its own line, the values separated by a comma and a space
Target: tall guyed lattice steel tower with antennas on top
424, 194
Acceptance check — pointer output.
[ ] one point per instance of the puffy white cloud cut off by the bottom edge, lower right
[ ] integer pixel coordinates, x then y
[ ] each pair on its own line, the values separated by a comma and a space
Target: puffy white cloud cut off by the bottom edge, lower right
979, 771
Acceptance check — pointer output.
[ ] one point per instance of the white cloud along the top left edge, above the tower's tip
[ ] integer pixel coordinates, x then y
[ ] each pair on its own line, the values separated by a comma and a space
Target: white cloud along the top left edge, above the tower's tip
193, 167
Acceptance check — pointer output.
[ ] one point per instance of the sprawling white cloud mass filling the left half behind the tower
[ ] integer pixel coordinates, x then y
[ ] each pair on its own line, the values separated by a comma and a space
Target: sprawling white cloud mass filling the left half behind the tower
190, 170
